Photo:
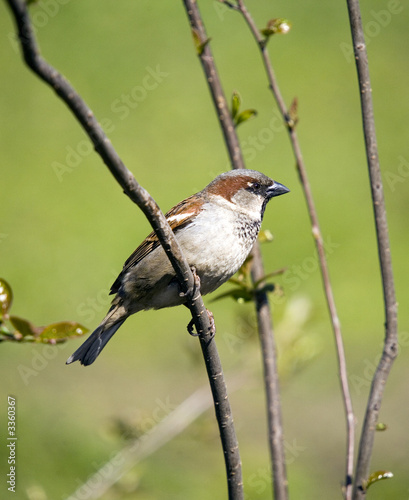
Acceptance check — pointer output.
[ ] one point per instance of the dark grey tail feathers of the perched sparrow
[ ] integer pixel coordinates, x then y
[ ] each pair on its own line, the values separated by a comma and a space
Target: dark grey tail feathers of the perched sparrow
88, 352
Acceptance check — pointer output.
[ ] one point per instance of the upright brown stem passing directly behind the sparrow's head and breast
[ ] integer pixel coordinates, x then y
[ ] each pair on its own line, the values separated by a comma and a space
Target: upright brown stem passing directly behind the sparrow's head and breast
276, 444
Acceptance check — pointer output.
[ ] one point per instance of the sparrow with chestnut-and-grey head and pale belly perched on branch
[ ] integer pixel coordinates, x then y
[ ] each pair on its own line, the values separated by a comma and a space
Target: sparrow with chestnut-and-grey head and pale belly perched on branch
216, 229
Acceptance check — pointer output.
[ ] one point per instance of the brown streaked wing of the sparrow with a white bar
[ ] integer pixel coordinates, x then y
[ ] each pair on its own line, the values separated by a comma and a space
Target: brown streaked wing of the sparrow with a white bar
178, 217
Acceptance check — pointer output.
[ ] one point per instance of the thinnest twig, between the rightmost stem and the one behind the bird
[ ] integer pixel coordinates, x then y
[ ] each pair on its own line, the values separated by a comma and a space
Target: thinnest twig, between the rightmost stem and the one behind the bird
350, 420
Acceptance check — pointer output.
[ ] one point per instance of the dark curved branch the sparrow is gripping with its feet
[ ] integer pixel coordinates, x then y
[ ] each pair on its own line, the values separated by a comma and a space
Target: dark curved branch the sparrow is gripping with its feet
151, 210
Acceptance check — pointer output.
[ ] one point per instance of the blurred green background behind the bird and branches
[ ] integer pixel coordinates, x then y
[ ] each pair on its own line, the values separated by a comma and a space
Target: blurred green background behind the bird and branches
66, 229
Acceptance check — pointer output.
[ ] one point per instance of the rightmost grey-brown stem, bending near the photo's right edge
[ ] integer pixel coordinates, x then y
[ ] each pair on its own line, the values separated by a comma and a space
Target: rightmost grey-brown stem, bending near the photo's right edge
390, 347
